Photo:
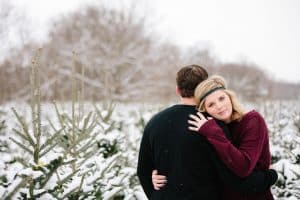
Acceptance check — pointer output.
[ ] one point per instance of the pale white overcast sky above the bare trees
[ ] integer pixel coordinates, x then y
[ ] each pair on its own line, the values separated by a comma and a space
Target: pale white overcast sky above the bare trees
266, 32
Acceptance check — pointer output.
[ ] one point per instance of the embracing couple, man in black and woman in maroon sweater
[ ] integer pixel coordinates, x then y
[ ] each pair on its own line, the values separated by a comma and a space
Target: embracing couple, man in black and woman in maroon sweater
207, 147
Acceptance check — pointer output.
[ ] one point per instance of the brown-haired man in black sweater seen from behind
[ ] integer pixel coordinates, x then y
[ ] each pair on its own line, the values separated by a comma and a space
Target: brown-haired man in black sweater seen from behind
190, 164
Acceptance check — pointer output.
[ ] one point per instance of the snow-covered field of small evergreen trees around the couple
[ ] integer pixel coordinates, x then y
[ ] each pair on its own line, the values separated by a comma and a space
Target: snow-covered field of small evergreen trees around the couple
91, 153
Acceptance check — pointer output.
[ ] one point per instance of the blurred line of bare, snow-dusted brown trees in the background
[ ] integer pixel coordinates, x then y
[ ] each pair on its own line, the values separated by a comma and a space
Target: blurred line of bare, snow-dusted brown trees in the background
116, 57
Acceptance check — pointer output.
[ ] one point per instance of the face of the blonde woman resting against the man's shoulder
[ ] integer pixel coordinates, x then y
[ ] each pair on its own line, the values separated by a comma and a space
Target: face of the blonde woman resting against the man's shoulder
219, 106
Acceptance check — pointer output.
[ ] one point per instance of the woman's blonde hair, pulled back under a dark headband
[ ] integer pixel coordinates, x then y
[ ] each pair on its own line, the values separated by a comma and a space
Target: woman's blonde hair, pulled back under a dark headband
211, 84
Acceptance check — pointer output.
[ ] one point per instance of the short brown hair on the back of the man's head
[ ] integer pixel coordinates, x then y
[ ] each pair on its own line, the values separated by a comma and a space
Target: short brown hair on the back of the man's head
188, 78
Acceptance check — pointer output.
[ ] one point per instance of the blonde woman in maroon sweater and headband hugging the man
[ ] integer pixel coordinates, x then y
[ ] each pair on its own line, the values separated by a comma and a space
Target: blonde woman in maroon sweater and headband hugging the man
249, 149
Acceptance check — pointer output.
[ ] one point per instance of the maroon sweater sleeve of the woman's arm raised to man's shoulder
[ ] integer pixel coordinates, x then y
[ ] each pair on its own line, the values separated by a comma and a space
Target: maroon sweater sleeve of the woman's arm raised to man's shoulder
243, 159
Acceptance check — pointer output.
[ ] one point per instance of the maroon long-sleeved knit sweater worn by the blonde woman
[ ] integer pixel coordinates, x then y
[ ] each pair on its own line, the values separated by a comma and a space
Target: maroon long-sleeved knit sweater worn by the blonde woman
248, 150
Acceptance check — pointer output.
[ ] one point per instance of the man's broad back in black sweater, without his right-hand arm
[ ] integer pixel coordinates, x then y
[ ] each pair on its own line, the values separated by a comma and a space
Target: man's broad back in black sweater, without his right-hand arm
182, 156
